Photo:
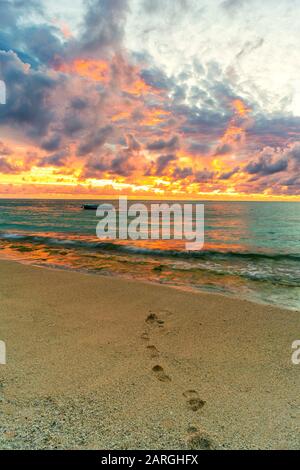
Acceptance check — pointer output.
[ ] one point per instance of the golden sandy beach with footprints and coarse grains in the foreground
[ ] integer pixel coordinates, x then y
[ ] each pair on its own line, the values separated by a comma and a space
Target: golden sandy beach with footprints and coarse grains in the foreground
104, 363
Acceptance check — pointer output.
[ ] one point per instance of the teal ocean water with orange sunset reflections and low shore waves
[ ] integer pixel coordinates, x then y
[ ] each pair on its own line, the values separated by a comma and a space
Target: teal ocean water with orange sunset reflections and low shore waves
251, 250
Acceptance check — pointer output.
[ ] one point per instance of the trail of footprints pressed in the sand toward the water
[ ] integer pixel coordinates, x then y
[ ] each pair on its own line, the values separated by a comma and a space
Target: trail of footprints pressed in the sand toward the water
196, 439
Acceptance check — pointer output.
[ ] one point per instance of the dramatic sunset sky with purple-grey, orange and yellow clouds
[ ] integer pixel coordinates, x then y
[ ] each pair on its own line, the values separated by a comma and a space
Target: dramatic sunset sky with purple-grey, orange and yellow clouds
150, 98
